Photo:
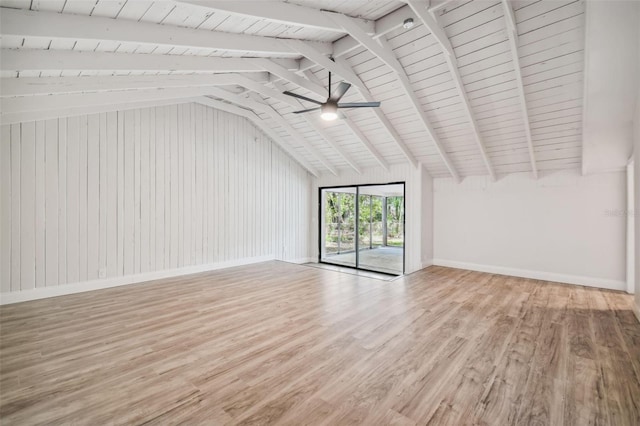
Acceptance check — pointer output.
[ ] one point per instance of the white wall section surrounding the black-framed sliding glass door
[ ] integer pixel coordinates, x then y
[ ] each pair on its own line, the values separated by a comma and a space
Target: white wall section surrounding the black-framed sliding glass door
413, 205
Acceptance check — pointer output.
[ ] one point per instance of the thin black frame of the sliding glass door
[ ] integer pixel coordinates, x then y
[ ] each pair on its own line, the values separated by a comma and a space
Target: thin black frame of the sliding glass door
357, 220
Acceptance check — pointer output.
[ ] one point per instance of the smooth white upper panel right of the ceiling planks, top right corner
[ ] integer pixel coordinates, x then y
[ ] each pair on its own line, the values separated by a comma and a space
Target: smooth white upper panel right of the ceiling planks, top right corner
611, 76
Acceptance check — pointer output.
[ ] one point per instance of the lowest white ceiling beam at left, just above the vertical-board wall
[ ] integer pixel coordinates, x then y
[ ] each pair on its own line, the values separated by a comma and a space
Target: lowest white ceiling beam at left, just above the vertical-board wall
21, 117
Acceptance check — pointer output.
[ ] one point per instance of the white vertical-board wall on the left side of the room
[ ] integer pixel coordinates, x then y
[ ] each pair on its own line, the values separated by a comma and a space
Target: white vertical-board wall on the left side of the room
132, 192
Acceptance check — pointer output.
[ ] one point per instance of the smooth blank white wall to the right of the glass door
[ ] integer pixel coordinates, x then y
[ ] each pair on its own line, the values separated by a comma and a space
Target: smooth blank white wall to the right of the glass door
562, 227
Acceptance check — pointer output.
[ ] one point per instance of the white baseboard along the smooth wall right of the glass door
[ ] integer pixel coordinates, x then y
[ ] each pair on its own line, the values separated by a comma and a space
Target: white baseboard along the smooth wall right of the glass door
538, 275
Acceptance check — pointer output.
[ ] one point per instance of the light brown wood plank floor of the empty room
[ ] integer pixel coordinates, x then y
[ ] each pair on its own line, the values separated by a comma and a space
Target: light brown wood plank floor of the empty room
276, 343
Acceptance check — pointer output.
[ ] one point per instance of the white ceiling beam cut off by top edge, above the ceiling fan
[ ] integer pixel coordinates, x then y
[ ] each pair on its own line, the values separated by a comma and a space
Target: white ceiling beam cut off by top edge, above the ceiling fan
280, 12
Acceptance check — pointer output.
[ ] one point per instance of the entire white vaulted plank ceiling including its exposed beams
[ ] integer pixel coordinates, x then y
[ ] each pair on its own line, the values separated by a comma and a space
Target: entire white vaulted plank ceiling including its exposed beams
483, 87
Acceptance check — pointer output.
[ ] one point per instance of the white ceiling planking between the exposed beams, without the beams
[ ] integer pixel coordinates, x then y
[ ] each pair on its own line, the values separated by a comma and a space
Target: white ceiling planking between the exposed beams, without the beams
550, 51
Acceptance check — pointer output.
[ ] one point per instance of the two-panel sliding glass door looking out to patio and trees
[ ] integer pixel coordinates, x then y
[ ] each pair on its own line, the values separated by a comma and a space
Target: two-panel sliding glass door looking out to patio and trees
363, 227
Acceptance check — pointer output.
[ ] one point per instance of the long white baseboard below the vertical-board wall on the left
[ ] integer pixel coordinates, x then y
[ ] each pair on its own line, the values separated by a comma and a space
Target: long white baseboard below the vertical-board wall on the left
65, 289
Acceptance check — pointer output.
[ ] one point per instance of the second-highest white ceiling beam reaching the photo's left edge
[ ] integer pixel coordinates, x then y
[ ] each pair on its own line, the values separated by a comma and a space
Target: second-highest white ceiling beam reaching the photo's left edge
56, 60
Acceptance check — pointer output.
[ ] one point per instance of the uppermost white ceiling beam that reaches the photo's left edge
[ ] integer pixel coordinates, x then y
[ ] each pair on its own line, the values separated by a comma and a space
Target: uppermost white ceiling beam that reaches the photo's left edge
28, 23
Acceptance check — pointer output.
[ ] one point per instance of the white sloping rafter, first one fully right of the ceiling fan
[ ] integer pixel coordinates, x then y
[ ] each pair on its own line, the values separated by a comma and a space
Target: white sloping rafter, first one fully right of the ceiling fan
383, 51
